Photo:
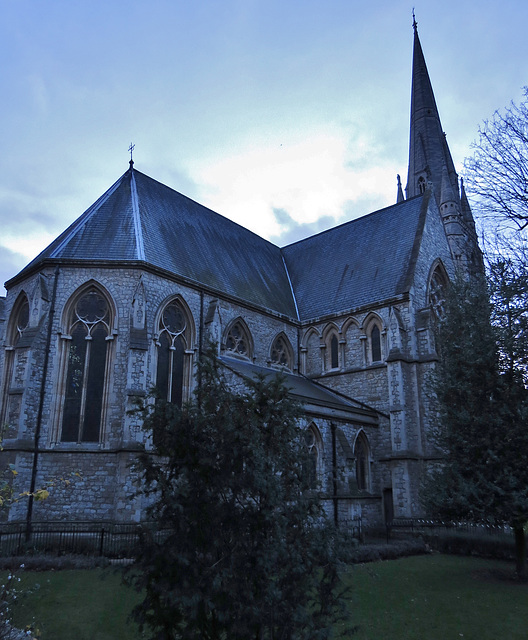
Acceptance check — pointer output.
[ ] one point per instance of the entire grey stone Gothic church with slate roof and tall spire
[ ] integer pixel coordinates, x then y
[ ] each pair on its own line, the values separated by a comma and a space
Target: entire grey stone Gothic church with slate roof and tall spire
126, 299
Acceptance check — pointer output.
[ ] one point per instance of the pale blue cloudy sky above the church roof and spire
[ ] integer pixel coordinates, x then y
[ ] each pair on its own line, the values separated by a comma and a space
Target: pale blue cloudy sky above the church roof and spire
286, 116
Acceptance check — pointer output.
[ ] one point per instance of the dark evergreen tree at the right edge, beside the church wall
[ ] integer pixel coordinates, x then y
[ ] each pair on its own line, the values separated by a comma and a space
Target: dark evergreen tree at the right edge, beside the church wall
482, 409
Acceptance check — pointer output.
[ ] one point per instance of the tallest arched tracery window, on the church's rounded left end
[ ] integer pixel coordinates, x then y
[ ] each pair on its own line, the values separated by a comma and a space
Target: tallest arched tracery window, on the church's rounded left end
89, 329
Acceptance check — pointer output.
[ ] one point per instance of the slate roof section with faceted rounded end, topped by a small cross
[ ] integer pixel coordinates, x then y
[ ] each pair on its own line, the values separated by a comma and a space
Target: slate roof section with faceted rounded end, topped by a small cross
141, 220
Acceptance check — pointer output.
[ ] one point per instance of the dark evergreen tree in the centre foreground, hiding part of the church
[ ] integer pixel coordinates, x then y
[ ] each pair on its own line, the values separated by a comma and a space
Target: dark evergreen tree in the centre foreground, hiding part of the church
238, 549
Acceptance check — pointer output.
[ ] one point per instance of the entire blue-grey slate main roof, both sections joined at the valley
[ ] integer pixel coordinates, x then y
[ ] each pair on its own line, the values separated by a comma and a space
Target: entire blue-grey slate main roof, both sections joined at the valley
139, 220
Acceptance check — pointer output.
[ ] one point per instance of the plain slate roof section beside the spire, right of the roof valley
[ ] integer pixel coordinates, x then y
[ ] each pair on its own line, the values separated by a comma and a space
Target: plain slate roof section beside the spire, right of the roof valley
361, 262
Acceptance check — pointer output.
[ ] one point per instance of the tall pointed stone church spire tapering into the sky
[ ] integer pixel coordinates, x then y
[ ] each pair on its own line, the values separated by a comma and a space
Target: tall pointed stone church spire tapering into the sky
429, 153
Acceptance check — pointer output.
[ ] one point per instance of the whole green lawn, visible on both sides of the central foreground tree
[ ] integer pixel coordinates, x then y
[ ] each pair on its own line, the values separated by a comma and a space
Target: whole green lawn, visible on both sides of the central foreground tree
431, 597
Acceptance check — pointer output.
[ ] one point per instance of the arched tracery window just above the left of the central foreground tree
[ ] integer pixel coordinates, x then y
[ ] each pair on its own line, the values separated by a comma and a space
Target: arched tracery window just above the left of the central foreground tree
173, 338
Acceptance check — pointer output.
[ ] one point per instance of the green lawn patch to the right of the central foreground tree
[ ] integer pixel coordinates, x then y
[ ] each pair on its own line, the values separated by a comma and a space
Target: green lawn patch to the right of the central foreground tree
438, 597
